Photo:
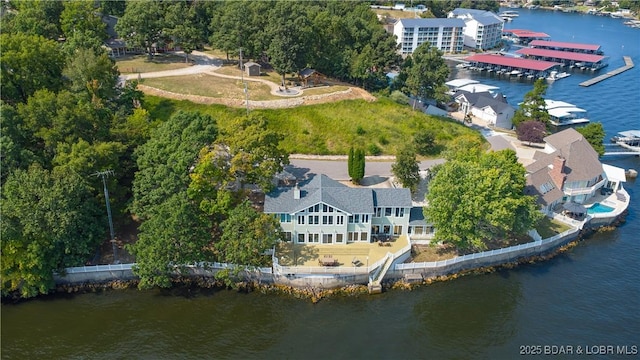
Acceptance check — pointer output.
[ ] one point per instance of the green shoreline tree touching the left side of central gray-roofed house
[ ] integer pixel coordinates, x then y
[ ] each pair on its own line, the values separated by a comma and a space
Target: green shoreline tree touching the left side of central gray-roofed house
246, 235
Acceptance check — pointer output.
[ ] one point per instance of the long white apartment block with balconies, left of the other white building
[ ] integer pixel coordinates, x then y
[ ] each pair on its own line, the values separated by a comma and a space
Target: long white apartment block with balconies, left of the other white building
444, 34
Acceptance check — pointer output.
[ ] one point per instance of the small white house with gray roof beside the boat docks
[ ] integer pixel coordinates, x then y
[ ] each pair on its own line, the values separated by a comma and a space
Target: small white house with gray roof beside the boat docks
493, 109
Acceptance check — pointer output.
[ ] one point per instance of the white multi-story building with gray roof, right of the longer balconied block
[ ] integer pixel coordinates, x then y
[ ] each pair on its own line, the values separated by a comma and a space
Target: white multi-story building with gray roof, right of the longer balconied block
482, 30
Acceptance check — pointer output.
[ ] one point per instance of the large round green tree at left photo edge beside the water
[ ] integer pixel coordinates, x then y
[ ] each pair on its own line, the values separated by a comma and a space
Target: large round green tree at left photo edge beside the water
50, 221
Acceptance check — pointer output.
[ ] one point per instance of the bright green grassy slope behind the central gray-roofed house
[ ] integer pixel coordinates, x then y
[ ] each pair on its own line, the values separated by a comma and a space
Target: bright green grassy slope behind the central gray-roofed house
331, 128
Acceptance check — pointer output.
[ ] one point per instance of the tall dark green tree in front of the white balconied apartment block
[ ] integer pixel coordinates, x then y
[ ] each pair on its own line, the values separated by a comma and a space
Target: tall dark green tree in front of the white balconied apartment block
427, 74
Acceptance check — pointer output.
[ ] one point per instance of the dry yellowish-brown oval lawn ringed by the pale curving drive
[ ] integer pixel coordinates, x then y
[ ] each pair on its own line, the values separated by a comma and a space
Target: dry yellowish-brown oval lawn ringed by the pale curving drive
212, 86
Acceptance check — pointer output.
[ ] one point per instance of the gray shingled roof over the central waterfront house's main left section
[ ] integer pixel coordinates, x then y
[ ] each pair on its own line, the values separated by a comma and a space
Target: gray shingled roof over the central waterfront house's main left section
320, 189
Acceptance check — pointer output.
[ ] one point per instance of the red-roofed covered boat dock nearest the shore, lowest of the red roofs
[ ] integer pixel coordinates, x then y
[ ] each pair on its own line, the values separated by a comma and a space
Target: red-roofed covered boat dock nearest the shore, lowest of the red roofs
513, 66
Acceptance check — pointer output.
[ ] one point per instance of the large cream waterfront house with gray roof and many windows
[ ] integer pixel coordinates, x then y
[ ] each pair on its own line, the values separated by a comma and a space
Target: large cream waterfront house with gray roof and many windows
320, 210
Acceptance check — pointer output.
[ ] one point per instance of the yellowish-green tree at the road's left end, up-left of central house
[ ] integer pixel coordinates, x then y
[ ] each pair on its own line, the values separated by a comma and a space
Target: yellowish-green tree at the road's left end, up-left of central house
254, 151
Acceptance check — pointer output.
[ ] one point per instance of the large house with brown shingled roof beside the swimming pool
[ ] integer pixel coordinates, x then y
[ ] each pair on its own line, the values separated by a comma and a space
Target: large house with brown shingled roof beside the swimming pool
568, 170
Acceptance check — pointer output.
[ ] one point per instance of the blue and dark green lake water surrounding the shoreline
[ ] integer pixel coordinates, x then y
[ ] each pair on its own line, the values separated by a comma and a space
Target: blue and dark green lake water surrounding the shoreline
587, 297
